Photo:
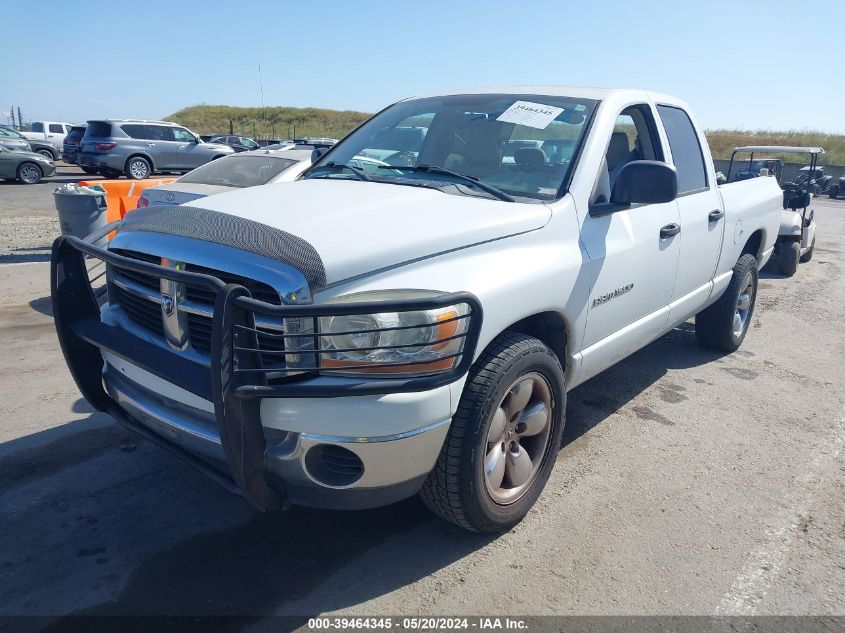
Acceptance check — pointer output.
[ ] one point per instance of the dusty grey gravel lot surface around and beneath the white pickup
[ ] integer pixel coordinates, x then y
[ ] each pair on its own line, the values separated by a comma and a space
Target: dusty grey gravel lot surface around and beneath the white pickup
689, 483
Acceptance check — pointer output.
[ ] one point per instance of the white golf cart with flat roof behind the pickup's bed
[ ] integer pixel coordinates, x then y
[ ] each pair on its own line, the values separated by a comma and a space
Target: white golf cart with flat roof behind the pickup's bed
797, 234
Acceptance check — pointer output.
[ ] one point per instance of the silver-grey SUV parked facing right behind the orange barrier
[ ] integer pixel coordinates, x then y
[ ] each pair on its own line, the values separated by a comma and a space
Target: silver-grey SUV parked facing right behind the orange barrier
138, 148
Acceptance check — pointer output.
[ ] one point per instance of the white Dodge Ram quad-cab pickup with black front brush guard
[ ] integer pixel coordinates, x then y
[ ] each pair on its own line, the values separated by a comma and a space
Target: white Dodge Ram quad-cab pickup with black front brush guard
412, 325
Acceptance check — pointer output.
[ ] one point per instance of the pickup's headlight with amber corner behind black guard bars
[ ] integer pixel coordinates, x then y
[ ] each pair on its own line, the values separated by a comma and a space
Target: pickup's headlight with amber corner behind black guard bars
419, 342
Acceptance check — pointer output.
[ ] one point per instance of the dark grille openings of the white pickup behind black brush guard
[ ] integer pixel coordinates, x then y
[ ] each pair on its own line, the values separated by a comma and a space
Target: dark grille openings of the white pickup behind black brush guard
147, 314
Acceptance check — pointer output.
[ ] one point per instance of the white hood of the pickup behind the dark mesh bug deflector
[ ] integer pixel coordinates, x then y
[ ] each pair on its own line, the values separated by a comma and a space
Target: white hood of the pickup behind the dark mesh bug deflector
361, 227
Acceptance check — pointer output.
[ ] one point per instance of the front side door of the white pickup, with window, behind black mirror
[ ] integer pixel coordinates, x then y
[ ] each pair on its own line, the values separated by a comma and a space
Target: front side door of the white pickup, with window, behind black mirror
632, 266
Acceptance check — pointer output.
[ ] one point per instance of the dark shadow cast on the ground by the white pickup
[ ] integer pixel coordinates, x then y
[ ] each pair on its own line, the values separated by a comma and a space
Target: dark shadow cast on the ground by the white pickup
122, 513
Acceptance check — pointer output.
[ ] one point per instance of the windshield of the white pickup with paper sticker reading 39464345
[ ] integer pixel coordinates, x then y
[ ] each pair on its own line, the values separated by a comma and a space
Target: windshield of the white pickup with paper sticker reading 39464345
522, 145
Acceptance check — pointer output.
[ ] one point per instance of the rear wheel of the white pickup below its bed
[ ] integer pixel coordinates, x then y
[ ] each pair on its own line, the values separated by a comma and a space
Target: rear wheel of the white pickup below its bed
724, 324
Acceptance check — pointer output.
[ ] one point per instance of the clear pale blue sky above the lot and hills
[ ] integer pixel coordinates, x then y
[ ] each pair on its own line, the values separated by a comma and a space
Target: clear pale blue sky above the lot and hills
750, 65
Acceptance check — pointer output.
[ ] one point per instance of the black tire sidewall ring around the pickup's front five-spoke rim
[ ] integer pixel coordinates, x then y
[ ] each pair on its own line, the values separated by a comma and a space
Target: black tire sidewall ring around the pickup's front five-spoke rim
498, 517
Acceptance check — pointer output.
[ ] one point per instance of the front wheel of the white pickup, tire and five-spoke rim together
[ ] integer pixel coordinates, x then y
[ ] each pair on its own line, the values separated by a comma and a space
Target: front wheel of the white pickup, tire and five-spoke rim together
503, 439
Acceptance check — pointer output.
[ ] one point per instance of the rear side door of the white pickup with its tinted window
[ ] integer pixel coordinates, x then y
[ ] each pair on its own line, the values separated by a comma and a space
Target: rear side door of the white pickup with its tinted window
700, 208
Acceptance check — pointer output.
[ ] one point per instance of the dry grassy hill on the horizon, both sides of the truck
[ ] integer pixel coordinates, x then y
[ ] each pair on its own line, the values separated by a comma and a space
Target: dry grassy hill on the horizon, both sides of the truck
280, 122
